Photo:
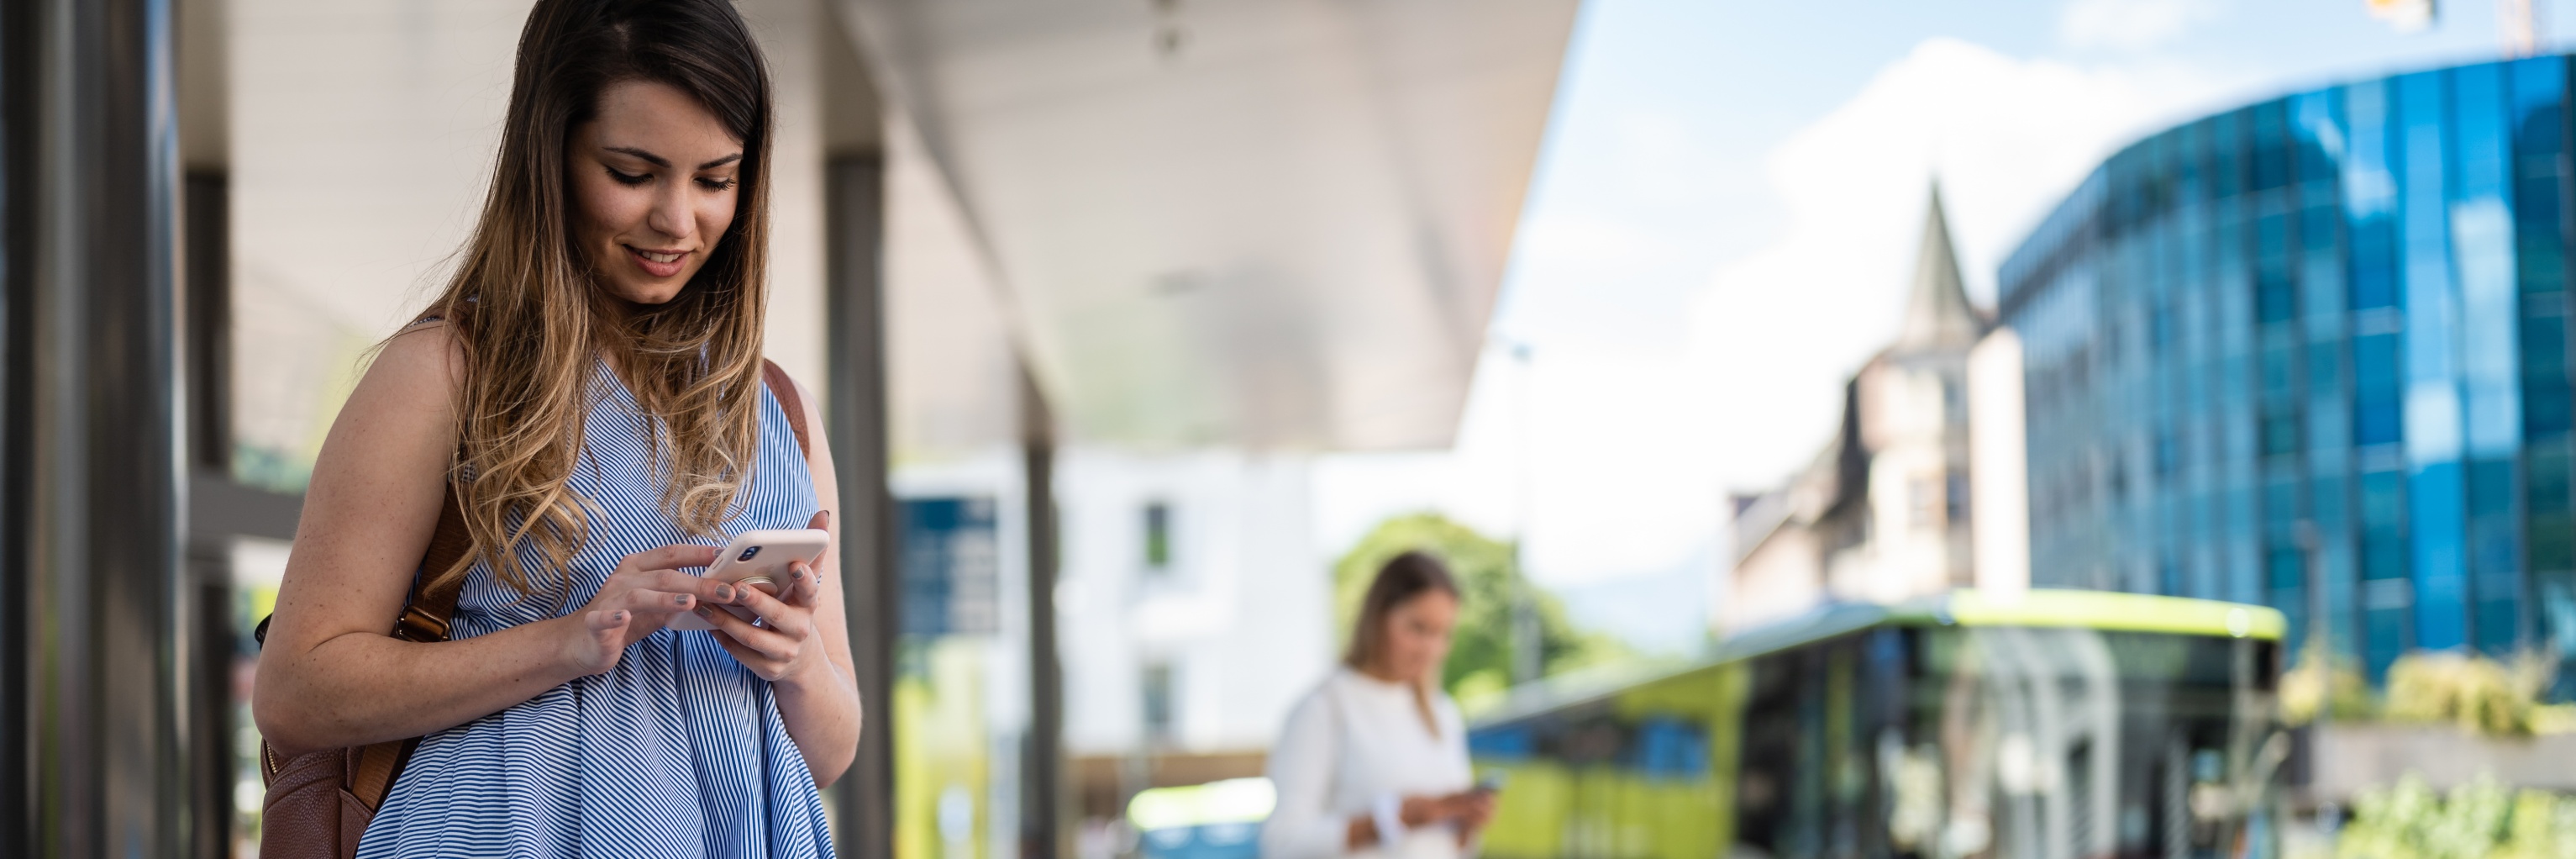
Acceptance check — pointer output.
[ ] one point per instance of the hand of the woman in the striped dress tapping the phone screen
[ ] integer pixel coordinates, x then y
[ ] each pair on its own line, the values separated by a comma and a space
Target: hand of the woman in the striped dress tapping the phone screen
640, 597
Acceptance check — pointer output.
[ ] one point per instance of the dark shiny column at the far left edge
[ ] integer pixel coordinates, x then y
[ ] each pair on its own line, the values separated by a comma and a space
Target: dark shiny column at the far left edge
94, 466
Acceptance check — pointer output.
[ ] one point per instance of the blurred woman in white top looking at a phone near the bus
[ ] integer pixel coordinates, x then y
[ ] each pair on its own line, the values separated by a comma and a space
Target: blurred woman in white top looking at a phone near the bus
1374, 760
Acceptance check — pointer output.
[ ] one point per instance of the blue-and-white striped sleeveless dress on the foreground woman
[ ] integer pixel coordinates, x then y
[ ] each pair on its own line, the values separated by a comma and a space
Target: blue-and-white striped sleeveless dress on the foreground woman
676, 752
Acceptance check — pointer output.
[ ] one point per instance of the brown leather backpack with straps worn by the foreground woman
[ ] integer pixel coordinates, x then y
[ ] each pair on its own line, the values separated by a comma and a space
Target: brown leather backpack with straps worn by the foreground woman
321, 804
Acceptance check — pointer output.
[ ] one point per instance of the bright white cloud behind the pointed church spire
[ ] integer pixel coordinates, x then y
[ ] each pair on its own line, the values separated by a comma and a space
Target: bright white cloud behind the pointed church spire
1779, 331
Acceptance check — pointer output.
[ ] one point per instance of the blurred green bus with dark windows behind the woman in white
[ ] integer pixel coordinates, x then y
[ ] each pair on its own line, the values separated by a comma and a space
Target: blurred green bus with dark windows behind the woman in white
2041, 724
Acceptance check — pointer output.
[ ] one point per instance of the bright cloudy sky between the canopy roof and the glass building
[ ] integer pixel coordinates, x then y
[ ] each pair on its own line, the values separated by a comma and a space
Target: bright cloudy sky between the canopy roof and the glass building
1722, 228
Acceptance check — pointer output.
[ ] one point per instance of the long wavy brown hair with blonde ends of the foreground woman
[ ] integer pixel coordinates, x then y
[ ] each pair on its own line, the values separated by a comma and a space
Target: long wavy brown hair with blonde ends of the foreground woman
535, 324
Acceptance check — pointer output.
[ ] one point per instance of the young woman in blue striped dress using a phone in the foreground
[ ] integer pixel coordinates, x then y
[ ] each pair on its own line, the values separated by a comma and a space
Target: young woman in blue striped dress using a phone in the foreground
591, 388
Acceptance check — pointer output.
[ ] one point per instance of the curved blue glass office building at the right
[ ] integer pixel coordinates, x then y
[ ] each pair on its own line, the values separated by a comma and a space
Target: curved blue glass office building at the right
2315, 355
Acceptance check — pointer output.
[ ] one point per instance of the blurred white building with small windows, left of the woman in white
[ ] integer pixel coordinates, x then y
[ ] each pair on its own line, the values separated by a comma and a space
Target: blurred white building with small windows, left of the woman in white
1194, 610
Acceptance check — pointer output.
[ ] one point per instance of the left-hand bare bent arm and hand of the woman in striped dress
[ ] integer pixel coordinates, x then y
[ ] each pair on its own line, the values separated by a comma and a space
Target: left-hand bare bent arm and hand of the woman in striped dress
331, 675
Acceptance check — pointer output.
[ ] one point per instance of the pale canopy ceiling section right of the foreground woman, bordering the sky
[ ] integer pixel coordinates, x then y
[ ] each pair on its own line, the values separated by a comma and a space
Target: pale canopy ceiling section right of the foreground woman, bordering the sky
1256, 223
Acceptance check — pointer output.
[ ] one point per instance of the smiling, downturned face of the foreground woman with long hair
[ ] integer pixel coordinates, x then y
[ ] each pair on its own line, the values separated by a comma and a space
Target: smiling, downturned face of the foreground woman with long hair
653, 187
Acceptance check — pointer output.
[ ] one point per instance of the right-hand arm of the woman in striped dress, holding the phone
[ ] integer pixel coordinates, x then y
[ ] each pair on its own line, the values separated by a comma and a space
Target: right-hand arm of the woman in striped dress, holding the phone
805, 644
